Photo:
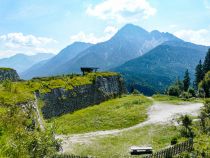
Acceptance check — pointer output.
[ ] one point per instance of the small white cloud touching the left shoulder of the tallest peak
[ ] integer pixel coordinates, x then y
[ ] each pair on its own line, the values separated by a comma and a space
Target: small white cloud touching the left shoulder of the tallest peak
92, 38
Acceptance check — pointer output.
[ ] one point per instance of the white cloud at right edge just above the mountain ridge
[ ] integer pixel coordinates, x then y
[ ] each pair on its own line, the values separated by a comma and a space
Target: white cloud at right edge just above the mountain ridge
201, 36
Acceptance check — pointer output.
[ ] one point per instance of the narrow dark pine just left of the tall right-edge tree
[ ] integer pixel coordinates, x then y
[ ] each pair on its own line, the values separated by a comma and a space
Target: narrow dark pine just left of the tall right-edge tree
199, 74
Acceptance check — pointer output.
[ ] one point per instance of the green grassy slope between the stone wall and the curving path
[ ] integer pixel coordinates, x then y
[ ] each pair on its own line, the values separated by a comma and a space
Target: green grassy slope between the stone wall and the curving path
113, 114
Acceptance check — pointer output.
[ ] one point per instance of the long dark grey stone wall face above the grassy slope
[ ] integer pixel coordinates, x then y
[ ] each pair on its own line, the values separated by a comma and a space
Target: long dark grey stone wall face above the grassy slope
60, 101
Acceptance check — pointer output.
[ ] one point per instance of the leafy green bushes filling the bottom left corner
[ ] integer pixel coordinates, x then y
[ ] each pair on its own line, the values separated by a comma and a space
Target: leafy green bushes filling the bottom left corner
19, 136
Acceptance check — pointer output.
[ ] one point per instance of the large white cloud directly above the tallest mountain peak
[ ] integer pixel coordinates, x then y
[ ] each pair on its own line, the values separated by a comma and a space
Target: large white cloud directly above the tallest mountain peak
122, 10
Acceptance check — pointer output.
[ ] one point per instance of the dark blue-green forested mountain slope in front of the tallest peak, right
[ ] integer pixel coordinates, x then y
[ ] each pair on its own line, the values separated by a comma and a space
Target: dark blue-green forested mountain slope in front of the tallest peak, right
157, 69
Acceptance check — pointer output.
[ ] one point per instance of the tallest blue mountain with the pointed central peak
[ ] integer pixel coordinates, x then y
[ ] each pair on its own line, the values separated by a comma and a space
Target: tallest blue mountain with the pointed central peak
128, 43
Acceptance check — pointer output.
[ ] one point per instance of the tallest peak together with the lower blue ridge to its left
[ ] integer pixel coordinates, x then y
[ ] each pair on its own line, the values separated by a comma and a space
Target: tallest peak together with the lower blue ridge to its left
128, 43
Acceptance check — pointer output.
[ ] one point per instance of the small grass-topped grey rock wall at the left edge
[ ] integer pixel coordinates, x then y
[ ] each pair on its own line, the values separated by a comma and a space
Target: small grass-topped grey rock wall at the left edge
8, 74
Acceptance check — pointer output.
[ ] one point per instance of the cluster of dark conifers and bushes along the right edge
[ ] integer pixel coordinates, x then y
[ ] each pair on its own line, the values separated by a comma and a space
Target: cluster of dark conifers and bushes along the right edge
201, 85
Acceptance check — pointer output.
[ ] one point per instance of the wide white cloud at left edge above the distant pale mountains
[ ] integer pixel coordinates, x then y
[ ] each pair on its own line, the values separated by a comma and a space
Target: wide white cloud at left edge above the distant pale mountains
13, 43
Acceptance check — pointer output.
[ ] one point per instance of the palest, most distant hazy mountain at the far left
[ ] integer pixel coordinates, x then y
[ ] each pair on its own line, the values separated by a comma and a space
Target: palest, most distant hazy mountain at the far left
22, 62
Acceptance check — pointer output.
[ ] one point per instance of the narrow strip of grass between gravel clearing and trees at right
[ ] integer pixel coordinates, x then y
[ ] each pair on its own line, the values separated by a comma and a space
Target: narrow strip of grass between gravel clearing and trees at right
175, 100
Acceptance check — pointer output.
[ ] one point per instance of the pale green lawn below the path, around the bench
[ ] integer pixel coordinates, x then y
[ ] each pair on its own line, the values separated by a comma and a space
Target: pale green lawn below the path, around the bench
157, 136
